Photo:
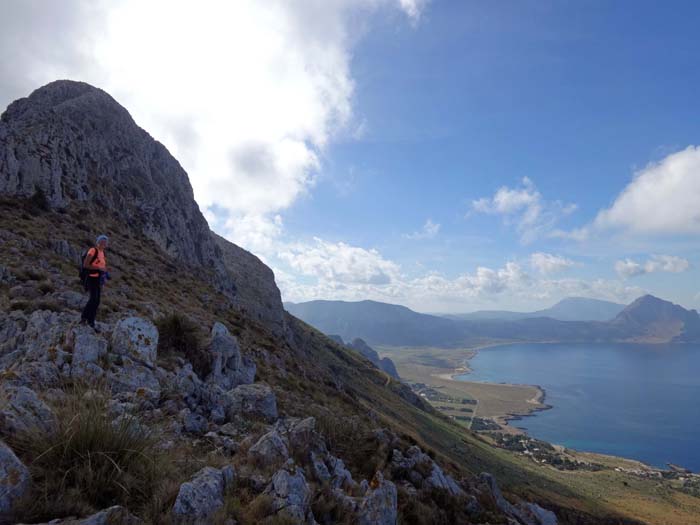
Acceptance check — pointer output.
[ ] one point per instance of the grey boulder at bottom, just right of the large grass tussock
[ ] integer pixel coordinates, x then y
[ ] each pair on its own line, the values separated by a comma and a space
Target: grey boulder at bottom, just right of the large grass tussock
201, 497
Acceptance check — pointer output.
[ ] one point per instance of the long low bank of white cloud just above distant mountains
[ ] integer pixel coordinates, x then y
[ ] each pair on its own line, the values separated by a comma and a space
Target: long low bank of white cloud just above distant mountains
340, 271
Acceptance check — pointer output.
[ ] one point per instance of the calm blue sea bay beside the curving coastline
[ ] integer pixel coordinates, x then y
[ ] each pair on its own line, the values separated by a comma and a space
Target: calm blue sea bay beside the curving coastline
635, 401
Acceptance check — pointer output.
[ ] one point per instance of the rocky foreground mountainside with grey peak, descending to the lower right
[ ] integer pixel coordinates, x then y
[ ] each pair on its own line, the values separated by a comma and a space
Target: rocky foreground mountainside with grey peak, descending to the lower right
201, 400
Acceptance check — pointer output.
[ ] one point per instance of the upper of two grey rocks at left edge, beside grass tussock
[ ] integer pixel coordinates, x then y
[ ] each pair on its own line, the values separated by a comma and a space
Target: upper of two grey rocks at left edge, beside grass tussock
21, 411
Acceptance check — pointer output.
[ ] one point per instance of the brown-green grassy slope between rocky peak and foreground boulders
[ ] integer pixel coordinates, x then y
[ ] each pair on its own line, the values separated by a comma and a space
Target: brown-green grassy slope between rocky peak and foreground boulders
306, 376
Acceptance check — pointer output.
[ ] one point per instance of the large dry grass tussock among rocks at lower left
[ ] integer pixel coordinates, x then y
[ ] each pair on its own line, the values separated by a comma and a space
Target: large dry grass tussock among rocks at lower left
88, 461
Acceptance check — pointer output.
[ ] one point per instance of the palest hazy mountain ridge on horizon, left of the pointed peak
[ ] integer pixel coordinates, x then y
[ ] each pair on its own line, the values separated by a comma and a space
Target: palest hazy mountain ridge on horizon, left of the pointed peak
569, 309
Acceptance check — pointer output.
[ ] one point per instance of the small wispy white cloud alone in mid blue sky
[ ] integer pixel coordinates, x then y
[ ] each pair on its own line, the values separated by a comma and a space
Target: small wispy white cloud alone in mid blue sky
524, 207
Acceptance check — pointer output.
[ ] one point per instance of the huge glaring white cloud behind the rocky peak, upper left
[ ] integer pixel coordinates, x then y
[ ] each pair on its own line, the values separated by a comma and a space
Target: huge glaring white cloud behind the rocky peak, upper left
245, 94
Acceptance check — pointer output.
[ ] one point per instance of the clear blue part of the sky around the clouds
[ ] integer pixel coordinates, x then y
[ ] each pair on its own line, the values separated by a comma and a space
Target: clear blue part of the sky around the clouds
578, 98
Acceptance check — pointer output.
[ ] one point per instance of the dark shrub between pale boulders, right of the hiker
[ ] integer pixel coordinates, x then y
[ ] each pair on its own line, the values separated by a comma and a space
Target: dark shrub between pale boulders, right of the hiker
178, 335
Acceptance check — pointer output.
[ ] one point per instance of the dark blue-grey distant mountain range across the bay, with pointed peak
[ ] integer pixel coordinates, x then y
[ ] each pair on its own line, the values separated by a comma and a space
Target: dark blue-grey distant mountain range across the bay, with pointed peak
648, 319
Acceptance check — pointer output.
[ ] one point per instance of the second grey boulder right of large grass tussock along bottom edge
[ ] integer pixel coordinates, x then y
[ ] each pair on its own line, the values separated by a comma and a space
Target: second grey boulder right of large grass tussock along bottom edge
291, 495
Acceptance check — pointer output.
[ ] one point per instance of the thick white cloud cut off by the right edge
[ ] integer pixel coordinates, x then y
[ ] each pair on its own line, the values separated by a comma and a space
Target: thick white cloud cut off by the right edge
661, 199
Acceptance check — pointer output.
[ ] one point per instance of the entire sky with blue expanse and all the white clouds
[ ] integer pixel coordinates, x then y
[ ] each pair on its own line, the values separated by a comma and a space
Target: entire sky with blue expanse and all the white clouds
447, 155
